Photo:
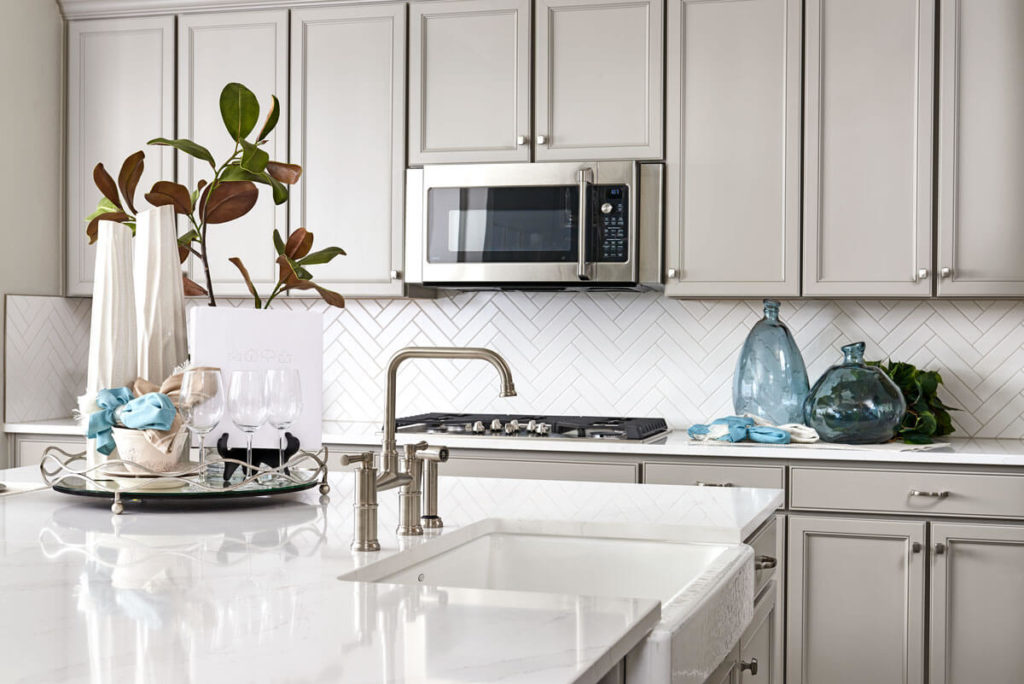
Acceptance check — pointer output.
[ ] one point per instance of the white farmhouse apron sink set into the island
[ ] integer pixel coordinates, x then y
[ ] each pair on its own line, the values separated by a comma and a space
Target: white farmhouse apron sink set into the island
706, 590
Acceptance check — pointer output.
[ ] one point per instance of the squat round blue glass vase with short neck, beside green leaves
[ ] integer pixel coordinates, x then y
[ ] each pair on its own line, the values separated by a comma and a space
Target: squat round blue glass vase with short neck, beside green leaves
856, 404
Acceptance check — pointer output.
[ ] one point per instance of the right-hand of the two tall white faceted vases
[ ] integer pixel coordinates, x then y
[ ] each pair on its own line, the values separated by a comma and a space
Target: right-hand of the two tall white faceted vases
160, 302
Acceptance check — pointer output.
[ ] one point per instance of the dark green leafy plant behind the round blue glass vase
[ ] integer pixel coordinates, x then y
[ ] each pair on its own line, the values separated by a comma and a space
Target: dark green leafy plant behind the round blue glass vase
926, 416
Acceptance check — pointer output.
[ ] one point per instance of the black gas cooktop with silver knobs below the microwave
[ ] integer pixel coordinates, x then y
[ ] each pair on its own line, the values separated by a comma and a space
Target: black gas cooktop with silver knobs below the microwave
536, 427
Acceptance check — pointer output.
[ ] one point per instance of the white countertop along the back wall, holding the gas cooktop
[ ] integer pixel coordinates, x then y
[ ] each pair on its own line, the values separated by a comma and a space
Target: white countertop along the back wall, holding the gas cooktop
960, 452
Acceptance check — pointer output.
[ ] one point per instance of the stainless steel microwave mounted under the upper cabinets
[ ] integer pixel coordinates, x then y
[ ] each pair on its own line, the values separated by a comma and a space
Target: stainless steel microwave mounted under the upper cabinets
535, 226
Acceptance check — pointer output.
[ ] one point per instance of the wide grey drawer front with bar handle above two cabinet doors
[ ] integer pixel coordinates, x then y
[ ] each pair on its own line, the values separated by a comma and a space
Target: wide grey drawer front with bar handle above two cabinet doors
997, 496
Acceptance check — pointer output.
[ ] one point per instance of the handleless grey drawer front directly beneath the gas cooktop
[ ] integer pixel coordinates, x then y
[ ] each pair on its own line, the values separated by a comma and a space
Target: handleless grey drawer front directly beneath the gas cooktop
540, 471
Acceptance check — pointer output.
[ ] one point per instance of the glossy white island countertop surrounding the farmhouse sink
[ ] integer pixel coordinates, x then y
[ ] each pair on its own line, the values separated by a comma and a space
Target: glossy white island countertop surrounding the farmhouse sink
249, 592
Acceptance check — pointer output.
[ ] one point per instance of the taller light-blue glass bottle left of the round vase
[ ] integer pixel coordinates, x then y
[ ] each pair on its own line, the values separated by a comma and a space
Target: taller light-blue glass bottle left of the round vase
771, 380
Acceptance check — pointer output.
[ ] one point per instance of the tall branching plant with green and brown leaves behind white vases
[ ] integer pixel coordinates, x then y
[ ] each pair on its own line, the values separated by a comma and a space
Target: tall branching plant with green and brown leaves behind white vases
231, 194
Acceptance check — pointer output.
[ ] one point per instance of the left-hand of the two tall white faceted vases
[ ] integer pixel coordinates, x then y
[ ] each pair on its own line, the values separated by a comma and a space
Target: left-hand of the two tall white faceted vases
112, 332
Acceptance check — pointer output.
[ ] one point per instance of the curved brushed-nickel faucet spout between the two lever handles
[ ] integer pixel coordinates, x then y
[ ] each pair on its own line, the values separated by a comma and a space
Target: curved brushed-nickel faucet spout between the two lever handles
389, 468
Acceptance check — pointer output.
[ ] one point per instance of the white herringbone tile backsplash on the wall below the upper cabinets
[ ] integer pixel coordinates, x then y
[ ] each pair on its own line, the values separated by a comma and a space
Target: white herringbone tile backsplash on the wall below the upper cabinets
629, 354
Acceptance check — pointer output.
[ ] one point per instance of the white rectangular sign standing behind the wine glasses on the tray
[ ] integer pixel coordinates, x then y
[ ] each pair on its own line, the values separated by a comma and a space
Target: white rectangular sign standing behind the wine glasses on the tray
245, 339
